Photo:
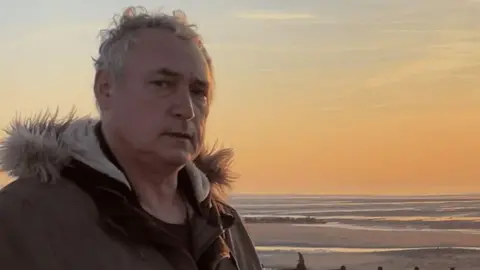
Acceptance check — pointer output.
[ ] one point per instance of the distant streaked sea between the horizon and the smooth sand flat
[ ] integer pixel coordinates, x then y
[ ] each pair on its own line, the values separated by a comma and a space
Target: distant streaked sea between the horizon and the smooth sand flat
459, 213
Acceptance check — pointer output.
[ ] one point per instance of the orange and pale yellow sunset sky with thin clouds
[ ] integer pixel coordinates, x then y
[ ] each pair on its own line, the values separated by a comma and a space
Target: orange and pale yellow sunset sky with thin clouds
316, 96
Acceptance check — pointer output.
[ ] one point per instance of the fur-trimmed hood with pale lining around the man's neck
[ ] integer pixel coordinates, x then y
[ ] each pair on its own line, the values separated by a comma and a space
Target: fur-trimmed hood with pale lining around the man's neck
40, 146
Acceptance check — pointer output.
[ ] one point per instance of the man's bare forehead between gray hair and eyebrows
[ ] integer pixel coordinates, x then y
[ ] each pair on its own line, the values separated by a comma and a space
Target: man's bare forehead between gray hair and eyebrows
156, 49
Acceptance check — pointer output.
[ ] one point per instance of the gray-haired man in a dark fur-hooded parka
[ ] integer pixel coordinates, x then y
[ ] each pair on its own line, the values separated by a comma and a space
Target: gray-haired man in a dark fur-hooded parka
136, 189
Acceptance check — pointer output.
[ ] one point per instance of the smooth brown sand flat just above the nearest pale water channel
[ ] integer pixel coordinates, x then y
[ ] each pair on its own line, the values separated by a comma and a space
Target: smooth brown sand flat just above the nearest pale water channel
286, 234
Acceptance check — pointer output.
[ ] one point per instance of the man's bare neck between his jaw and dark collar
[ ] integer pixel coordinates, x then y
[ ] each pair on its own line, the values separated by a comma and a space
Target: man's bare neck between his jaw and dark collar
154, 185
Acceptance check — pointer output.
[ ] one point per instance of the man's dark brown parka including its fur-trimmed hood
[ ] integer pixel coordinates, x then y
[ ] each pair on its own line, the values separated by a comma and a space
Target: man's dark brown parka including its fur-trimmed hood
72, 208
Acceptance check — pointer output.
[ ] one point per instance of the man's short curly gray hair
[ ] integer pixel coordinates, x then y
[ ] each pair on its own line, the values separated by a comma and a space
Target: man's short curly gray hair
120, 37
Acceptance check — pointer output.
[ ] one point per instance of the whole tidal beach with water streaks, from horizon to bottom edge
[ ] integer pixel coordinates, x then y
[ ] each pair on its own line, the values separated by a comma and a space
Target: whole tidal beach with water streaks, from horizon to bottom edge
364, 232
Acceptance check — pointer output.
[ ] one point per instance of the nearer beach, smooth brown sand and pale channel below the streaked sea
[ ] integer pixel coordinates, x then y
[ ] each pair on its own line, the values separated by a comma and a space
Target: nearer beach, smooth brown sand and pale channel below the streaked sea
329, 248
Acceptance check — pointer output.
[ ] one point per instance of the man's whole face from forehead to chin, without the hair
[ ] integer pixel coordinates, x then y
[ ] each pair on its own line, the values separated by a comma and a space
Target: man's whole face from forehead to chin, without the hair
159, 105
